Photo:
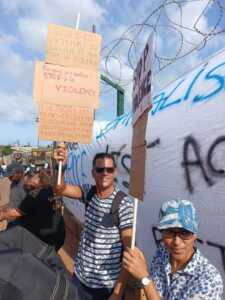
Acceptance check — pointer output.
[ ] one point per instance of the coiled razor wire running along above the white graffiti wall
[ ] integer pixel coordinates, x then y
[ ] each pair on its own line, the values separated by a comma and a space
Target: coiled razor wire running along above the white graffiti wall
126, 50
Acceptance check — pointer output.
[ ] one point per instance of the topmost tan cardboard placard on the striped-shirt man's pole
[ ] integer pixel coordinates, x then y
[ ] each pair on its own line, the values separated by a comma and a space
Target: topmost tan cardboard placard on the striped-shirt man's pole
69, 47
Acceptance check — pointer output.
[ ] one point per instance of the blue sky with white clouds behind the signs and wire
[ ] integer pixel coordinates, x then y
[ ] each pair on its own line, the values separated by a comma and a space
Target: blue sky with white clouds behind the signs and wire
23, 29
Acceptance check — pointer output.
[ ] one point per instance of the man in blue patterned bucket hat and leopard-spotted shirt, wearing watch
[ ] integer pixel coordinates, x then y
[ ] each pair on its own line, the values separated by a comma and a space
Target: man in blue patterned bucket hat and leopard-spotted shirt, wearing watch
178, 271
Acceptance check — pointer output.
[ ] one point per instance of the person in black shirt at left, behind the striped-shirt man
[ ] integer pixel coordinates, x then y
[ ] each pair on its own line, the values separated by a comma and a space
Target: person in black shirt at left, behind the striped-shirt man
36, 212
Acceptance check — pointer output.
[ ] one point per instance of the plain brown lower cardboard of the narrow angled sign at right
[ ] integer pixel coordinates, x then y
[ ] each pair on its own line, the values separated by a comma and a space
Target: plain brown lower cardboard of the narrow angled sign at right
138, 154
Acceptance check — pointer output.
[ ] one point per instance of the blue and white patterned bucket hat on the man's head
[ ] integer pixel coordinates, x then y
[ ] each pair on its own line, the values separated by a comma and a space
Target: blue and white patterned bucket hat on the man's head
178, 213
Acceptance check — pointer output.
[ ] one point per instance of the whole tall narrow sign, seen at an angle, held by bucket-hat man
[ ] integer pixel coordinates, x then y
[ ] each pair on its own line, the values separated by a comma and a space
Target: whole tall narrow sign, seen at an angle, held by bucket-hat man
141, 105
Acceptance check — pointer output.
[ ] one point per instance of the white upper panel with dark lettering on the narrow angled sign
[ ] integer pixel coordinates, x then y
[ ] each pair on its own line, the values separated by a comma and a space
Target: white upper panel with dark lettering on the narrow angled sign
142, 82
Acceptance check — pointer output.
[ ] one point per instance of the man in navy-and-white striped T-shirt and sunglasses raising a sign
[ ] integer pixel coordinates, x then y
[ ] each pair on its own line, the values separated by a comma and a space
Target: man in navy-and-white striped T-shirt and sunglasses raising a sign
98, 273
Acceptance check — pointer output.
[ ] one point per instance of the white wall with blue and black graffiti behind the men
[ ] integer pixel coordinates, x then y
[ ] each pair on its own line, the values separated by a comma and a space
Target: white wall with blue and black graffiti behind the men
193, 146
